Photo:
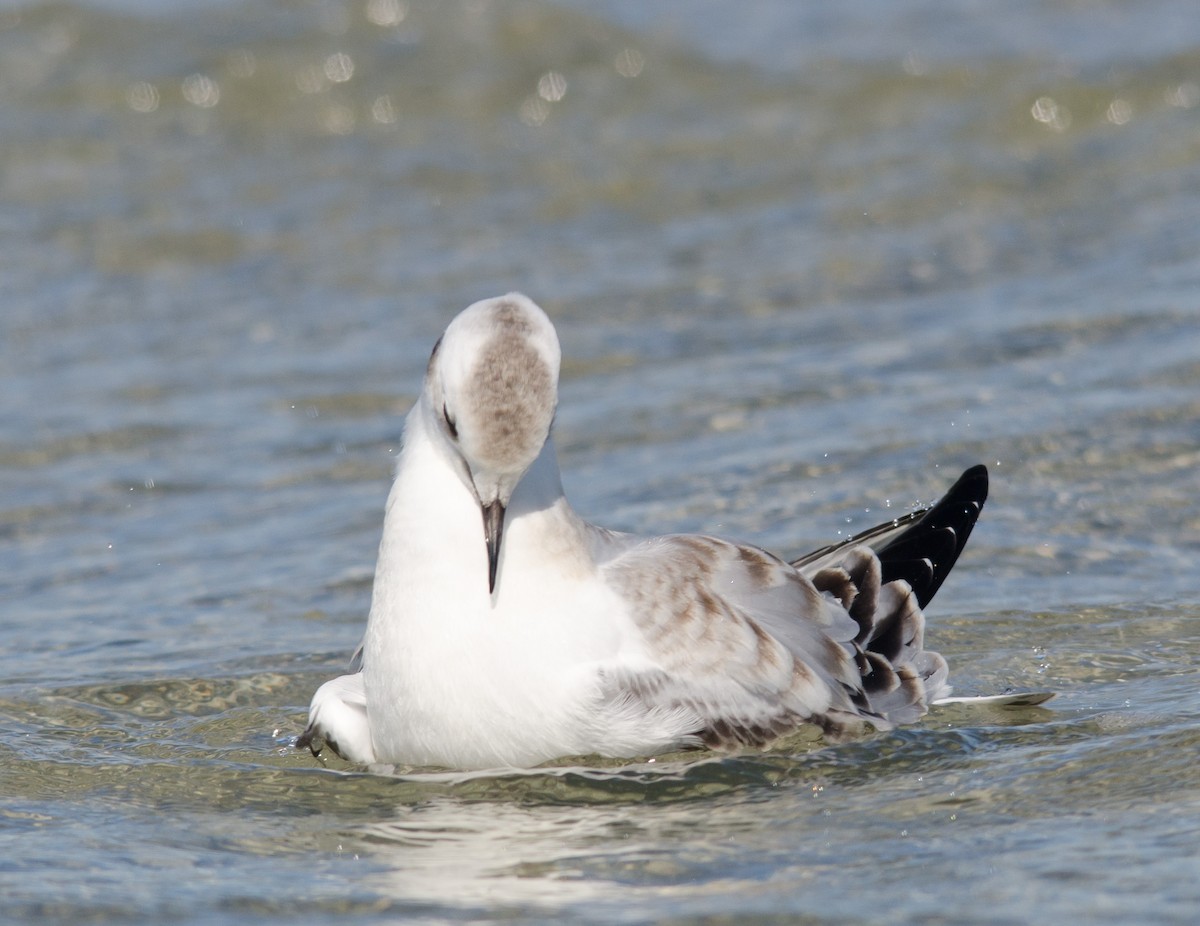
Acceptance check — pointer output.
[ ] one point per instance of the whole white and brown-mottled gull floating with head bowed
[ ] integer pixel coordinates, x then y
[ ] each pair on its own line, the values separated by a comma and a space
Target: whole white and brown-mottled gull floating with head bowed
506, 632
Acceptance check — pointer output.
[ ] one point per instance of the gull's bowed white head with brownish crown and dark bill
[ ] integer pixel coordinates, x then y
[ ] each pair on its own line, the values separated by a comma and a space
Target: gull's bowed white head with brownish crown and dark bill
491, 392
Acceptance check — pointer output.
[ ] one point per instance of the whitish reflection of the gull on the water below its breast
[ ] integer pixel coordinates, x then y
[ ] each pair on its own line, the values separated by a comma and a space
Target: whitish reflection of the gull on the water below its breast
565, 855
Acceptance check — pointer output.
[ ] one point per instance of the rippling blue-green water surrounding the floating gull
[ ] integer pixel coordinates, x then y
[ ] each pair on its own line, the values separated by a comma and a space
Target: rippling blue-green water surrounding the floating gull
806, 263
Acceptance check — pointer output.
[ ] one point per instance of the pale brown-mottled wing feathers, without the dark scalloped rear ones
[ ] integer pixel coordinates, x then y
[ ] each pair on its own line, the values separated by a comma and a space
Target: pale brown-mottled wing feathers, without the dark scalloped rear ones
739, 639
